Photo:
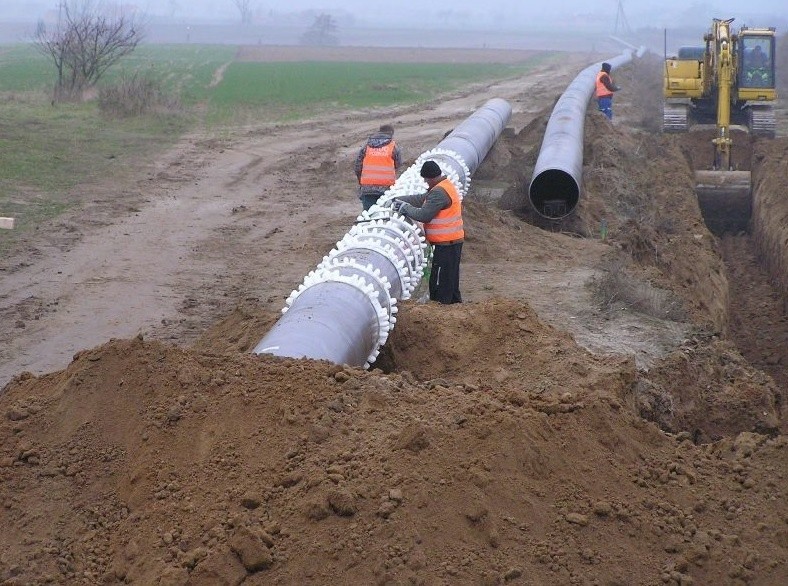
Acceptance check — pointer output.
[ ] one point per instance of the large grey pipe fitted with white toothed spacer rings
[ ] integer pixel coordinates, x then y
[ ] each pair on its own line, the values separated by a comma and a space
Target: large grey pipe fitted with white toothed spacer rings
345, 308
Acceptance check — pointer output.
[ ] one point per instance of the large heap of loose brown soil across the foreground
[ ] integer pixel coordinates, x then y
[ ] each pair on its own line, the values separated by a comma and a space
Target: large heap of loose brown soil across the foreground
511, 454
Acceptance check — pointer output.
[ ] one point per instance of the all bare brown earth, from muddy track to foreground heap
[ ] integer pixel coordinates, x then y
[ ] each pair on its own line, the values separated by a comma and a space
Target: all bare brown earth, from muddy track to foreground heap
599, 411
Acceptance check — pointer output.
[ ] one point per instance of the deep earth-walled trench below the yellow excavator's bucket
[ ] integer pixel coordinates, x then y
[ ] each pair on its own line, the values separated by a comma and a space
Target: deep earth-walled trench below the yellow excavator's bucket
753, 246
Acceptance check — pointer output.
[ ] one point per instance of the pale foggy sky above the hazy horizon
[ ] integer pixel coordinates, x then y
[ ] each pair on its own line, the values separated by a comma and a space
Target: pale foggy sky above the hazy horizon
489, 14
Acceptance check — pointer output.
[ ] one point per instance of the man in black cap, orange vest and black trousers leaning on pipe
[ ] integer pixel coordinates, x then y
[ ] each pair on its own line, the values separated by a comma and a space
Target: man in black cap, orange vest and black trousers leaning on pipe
440, 210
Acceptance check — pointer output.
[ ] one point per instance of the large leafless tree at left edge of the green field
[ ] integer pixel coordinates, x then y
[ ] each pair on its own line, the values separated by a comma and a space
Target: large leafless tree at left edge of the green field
85, 41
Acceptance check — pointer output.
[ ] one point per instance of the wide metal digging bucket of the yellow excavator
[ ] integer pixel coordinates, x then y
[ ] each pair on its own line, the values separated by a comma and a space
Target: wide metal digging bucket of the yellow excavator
725, 199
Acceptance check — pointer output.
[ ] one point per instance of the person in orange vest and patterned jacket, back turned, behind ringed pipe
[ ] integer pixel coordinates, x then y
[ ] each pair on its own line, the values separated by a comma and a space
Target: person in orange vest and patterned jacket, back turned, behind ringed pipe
376, 165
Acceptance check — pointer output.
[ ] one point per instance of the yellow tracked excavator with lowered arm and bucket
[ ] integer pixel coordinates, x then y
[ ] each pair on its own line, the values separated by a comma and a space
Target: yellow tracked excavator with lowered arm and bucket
728, 82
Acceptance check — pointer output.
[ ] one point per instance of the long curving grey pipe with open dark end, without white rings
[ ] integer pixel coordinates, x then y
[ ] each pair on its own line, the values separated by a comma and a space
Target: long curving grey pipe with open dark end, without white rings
555, 188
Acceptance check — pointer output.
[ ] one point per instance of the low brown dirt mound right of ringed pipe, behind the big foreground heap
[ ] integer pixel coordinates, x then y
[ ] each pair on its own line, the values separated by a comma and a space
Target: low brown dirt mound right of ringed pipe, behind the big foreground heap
505, 345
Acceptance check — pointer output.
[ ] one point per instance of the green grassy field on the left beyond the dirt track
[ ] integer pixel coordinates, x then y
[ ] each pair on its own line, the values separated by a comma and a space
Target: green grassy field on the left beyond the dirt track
48, 150
